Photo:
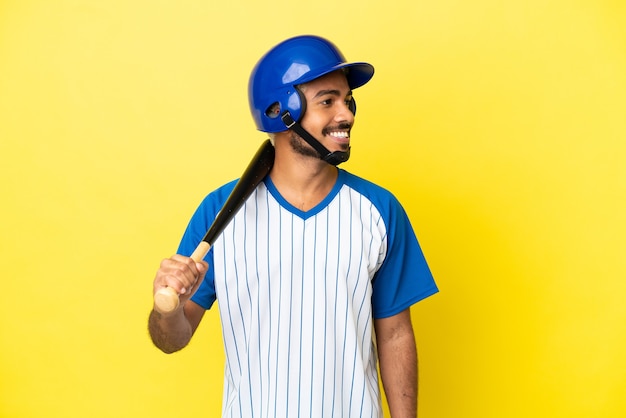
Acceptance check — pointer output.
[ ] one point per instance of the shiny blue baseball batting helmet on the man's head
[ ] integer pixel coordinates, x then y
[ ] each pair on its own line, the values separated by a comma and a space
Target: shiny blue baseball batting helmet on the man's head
272, 88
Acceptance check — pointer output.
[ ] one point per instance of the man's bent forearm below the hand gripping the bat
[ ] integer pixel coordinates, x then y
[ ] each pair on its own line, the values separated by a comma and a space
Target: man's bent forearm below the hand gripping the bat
170, 332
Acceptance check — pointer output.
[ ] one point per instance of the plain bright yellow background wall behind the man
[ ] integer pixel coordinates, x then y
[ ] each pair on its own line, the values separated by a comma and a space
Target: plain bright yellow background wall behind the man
500, 125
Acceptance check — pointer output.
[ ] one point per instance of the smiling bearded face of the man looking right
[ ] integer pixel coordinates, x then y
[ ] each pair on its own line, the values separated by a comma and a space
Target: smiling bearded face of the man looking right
327, 117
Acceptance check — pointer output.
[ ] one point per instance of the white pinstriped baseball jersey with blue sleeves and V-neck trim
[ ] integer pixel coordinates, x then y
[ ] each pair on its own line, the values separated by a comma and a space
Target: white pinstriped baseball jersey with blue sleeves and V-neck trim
298, 291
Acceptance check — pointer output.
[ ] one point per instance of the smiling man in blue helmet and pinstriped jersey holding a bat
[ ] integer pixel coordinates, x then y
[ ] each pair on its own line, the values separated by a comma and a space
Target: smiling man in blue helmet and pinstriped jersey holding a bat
316, 274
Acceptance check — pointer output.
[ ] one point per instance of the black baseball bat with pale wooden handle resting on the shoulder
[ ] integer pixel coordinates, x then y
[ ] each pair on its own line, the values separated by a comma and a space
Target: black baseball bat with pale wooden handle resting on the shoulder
166, 298
